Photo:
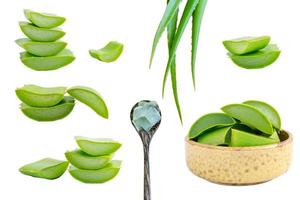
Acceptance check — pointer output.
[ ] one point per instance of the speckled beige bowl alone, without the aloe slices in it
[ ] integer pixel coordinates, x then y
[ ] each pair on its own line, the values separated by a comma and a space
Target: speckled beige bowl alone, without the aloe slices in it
240, 165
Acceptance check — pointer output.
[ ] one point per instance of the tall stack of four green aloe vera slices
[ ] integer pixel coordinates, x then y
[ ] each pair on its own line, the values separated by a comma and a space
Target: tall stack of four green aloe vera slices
43, 49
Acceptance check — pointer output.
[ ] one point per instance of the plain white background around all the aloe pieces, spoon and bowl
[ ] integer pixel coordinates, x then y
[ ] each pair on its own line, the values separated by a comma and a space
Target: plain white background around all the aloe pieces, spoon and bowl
91, 24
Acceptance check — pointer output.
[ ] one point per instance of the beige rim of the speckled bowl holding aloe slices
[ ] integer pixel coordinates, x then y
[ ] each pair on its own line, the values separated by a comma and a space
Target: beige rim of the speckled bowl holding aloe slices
262, 147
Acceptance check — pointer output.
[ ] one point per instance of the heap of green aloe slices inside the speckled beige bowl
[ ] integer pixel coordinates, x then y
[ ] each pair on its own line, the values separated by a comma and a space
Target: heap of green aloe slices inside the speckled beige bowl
252, 123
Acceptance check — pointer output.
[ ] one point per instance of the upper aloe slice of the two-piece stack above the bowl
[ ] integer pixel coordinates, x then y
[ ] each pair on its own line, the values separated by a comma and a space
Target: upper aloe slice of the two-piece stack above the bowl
246, 45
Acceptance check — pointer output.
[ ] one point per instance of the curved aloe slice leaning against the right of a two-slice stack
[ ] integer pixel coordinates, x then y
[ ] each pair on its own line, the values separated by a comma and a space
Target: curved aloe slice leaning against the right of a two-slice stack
91, 98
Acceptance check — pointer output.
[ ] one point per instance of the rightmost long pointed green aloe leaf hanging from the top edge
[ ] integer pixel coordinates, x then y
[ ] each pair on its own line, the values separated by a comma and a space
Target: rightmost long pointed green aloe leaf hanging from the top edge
196, 24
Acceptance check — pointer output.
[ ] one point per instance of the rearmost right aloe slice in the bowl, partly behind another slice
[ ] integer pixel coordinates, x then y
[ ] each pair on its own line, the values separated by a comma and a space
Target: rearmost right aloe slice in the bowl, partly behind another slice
268, 111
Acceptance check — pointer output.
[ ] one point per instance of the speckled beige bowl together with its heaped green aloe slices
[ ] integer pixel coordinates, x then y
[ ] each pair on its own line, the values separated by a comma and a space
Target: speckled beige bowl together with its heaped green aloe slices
242, 145
